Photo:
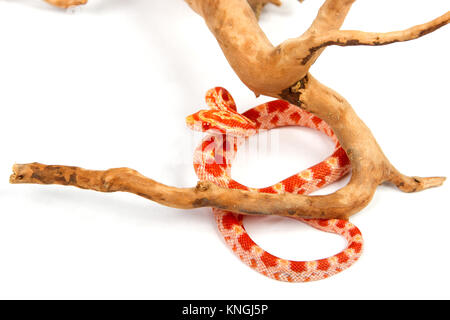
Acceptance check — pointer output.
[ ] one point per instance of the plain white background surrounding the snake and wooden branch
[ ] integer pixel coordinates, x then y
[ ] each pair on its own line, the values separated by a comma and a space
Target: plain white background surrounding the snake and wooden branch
110, 85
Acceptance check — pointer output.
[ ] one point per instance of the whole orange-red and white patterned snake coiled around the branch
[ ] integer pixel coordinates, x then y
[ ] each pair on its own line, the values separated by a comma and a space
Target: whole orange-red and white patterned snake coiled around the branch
226, 130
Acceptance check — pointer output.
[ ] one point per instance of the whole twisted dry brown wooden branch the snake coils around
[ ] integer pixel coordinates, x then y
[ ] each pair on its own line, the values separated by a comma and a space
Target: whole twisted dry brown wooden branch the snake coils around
278, 71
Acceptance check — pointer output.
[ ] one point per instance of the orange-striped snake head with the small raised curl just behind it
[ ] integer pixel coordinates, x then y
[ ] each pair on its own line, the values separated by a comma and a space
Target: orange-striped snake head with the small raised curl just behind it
222, 117
